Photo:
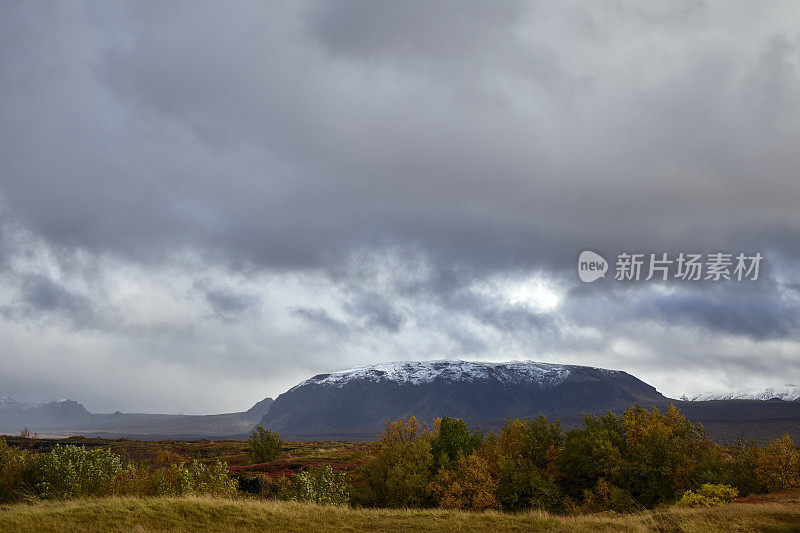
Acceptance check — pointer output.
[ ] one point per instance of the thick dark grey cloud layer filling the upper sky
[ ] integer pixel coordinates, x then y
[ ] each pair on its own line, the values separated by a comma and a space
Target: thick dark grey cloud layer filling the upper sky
312, 138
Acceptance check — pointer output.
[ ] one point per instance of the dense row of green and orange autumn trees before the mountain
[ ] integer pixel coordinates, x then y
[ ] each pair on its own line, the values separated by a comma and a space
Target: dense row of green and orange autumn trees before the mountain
621, 463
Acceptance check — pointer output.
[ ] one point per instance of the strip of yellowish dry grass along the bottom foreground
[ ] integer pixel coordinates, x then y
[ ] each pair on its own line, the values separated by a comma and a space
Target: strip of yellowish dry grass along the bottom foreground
207, 514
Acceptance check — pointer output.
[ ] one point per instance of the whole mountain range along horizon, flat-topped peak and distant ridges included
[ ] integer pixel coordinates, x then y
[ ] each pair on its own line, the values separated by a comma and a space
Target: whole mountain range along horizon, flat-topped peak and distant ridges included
352, 404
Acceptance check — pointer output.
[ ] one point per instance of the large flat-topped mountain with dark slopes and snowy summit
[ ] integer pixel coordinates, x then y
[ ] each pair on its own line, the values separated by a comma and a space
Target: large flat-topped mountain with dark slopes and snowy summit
354, 403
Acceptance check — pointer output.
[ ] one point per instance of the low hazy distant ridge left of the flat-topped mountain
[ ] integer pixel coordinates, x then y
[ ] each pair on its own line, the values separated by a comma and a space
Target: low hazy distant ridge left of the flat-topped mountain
67, 417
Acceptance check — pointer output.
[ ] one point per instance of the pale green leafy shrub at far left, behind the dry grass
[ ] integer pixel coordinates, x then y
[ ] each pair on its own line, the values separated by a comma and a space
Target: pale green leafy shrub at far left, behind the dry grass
72, 471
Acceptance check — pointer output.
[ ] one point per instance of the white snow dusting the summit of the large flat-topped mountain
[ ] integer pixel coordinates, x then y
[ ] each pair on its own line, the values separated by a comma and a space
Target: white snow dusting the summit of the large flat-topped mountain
545, 375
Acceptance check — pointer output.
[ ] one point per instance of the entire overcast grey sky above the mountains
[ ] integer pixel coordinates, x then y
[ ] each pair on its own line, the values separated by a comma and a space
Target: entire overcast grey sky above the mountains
202, 204
